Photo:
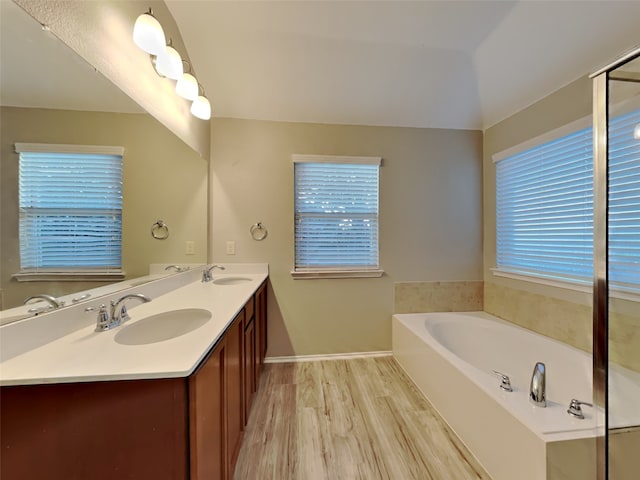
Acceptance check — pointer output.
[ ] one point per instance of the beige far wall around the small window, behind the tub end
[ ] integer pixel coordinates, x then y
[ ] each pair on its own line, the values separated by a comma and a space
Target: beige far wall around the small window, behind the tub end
430, 223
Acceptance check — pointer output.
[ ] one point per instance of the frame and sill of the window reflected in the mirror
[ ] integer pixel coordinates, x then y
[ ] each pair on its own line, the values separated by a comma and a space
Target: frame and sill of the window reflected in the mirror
71, 273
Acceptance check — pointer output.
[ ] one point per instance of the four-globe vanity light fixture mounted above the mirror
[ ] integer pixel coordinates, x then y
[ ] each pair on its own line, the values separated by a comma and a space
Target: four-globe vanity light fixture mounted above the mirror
167, 62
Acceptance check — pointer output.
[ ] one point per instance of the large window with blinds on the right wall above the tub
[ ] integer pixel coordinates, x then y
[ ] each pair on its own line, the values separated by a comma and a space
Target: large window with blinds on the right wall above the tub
544, 207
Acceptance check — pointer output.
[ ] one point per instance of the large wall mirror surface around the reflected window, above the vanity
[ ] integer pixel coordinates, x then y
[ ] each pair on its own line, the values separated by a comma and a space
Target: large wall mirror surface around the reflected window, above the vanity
50, 95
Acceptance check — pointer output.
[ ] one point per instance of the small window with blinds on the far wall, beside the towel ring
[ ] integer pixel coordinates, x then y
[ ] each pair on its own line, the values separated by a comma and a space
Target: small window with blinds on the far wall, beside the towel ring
336, 216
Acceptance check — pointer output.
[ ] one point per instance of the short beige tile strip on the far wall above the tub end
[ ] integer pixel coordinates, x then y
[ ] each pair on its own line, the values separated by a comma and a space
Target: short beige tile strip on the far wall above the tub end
425, 297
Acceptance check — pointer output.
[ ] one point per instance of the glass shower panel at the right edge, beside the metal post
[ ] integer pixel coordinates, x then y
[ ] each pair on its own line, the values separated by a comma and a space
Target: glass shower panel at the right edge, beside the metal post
623, 270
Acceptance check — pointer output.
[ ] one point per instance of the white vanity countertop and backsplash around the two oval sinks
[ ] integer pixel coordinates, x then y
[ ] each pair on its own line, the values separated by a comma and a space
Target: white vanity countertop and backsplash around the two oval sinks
62, 346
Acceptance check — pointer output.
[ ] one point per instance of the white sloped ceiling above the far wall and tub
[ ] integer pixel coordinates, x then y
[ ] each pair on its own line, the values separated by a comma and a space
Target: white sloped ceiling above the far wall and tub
435, 64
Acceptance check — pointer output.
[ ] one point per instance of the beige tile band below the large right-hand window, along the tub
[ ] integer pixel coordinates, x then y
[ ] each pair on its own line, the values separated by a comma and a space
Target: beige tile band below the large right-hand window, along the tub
566, 321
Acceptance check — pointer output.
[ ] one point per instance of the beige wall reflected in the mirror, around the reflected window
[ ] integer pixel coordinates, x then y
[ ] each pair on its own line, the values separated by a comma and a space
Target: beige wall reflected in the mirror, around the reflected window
163, 179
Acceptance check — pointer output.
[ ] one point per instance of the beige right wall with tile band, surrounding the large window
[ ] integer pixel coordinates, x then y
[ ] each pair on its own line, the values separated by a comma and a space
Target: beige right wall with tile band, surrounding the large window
553, 311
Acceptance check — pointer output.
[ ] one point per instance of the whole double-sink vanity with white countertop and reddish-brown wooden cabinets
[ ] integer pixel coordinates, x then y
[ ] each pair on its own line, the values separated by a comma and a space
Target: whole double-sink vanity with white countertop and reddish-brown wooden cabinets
105, 405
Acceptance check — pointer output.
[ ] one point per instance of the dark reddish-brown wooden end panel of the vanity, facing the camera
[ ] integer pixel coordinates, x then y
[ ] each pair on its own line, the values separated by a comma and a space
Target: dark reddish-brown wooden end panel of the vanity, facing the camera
134, 429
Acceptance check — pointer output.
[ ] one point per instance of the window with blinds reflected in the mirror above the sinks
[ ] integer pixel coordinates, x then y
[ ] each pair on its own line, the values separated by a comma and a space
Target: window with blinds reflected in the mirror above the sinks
70, 201
